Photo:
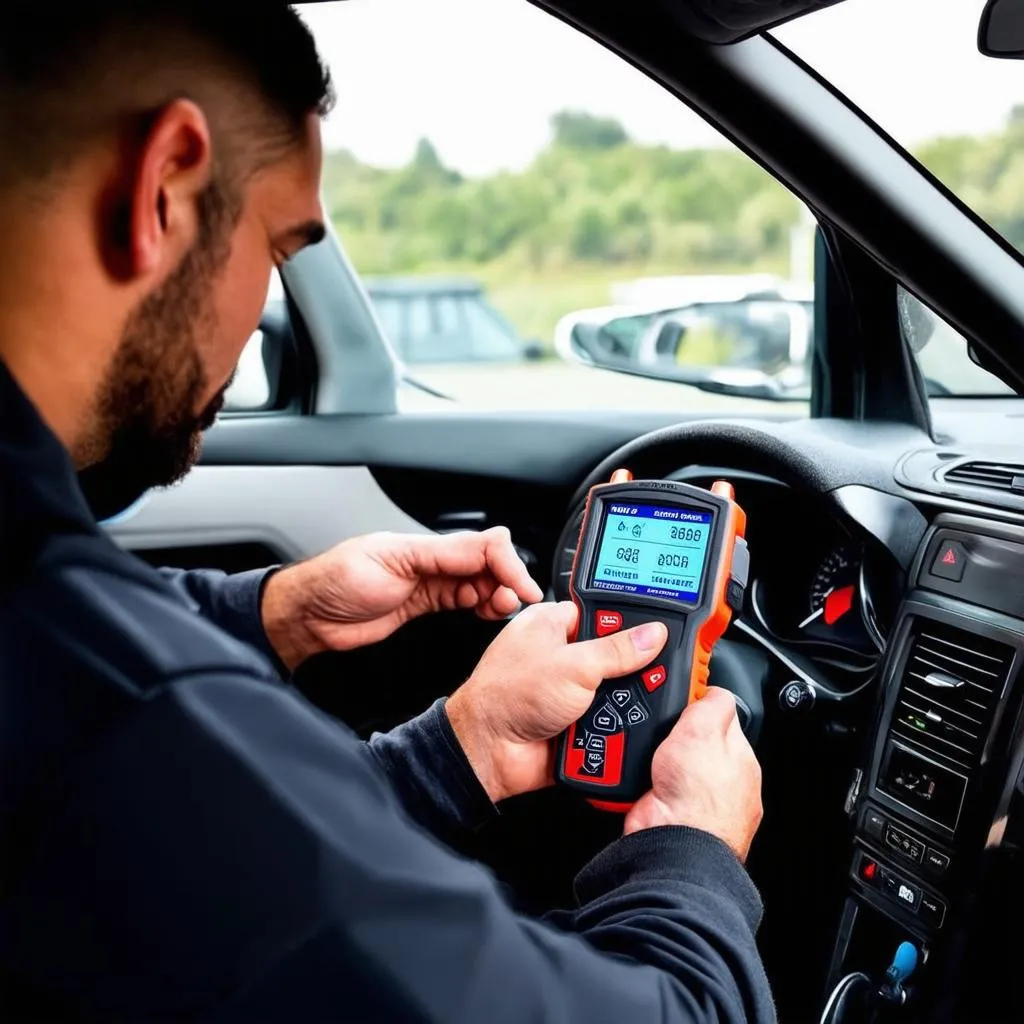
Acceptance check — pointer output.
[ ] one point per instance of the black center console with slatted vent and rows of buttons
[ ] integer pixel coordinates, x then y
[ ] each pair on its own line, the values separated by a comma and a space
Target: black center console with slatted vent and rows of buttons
934, 796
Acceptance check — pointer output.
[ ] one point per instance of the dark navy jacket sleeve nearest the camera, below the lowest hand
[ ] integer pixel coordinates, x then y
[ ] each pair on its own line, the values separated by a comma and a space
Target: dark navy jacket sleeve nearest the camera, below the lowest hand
231, 855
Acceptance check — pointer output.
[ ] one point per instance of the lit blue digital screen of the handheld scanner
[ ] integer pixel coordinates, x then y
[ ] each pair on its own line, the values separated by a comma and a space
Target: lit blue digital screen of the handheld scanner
655, 550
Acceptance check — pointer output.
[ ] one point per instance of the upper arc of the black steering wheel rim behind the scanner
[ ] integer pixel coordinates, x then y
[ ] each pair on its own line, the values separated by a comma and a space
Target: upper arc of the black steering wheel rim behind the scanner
738, 446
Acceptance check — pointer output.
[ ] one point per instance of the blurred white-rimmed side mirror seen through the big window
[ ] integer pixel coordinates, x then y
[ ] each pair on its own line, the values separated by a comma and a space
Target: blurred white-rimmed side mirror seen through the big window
757, 340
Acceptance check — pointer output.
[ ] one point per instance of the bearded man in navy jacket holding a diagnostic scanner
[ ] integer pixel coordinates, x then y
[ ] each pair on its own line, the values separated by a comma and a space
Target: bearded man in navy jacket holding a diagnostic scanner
185, 838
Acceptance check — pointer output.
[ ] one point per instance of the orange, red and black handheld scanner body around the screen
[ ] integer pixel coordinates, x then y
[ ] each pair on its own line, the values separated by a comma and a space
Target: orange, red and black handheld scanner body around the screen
684, 666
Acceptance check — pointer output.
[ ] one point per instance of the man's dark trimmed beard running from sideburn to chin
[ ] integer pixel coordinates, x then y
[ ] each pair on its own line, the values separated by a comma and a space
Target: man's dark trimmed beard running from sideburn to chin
147, 424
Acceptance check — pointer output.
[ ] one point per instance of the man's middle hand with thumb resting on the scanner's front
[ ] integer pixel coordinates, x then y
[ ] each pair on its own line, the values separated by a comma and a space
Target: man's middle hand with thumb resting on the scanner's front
531, 685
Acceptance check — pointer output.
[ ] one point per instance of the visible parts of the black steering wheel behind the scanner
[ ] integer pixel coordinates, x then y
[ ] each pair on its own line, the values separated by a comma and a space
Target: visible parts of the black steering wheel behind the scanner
741, 668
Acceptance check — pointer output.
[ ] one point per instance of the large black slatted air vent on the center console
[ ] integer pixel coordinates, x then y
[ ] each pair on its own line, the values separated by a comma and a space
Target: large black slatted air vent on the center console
952, 684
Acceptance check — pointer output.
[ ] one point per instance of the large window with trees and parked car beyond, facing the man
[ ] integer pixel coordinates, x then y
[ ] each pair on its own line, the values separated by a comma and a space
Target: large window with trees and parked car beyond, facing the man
571, 237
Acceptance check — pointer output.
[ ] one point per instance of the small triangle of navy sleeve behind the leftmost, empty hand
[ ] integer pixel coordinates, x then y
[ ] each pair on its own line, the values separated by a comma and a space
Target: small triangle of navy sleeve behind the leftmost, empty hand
231, 602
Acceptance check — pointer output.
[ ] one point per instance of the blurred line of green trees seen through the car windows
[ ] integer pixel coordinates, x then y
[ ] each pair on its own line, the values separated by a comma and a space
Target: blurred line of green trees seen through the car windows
594, 197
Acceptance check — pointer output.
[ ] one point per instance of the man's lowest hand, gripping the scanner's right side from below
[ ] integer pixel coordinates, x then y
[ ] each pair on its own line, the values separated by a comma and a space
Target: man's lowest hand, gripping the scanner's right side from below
705, 776
